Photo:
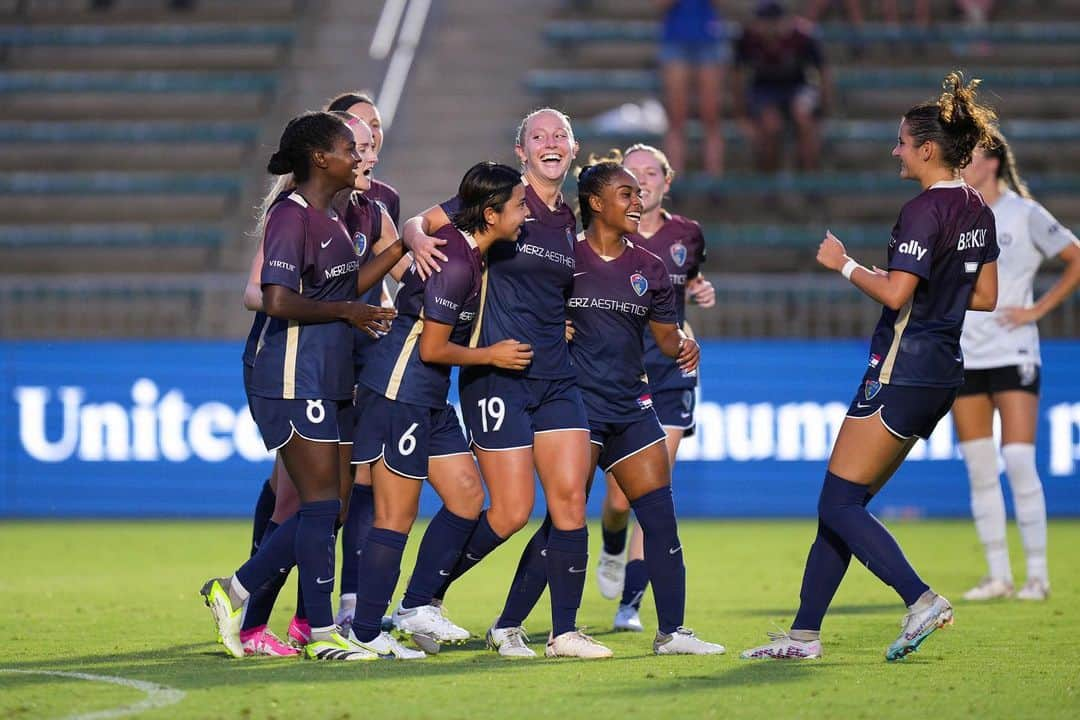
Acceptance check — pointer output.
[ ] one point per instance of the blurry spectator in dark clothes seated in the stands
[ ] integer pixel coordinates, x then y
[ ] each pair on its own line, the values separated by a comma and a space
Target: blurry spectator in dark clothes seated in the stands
780, 75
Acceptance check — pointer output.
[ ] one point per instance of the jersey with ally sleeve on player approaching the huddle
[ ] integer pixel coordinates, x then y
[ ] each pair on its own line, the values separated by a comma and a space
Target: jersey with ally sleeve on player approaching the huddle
943, 236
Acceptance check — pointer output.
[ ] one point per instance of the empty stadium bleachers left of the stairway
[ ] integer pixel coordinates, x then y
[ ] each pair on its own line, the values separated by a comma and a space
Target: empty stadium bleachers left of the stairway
126, 144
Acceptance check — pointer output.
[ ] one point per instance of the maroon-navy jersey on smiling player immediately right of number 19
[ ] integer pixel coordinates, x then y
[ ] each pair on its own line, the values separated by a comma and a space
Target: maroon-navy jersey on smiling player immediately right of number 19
612, 305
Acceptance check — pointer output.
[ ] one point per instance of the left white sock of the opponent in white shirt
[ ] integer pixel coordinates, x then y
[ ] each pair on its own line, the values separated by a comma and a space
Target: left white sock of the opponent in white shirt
989, 504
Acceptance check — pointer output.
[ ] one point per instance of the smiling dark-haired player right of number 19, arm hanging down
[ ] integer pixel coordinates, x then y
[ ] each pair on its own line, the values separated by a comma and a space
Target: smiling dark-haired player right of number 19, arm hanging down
622, 294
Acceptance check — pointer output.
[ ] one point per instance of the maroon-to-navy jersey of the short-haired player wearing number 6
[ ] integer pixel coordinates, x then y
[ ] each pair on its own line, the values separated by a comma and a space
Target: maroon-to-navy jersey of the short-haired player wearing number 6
452, 297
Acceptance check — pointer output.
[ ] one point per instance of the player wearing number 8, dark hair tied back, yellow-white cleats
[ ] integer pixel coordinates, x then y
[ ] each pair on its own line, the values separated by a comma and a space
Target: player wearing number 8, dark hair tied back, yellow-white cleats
302, 378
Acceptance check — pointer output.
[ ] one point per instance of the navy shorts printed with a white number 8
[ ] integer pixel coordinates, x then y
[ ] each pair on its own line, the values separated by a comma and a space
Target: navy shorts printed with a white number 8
319, 420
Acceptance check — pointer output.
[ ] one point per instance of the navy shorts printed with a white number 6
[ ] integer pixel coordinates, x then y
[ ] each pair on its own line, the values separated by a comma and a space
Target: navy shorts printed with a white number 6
404, 436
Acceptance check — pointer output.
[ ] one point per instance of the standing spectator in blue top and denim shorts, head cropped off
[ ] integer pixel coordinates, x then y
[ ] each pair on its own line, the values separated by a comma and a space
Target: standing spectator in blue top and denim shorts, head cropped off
694, 58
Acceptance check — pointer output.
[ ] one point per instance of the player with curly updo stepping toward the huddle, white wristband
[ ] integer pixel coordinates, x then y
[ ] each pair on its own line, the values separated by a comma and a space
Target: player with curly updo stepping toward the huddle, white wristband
942, 263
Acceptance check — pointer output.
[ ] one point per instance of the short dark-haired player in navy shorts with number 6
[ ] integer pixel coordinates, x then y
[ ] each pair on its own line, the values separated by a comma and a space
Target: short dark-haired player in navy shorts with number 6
407, 431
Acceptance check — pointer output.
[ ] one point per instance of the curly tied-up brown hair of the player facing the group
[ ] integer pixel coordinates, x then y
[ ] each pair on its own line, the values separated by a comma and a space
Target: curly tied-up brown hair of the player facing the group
956, 121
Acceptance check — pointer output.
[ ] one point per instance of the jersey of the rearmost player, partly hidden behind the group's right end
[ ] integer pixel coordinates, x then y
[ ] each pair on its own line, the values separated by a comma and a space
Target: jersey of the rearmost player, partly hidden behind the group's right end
681, 244
